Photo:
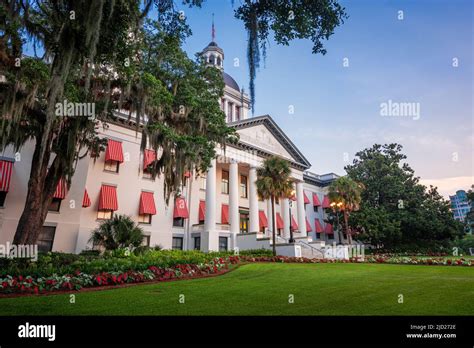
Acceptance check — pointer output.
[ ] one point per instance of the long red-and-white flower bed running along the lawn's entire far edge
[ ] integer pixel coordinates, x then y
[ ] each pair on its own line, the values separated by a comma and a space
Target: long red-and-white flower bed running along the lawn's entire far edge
79, 279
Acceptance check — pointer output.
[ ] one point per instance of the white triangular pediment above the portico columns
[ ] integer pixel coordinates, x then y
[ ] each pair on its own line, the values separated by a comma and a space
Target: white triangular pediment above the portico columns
262, 133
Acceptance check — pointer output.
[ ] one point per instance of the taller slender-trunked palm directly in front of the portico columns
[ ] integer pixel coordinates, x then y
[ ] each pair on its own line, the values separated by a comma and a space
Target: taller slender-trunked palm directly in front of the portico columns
273, 180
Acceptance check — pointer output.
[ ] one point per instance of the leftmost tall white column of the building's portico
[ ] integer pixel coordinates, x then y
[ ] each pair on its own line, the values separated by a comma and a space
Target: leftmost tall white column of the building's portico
209, 238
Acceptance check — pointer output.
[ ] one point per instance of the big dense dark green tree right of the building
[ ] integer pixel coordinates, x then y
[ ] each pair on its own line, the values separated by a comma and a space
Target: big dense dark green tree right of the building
396, 210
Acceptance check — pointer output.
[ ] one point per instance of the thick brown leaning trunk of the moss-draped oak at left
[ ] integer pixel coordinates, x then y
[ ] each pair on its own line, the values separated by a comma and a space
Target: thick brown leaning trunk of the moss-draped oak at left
41, 187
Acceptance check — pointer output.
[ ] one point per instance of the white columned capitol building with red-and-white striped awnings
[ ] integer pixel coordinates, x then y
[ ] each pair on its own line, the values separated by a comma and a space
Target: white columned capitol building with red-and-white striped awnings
218, 211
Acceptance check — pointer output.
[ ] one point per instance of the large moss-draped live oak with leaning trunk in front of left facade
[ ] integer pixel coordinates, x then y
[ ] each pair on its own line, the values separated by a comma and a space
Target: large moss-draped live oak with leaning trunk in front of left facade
95, 52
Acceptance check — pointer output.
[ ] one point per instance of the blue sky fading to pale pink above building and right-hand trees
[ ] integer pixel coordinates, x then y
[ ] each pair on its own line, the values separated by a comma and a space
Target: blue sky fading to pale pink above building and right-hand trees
337, 108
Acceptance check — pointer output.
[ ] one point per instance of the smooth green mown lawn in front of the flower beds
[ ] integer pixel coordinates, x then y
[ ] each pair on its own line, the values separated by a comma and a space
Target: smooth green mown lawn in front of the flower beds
264, 289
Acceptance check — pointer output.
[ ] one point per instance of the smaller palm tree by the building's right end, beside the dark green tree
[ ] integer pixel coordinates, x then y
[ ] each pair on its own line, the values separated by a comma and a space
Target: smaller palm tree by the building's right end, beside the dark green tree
347, 193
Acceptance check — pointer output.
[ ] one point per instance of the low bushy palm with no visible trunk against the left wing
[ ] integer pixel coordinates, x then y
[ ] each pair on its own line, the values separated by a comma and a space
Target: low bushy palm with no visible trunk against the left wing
118, 232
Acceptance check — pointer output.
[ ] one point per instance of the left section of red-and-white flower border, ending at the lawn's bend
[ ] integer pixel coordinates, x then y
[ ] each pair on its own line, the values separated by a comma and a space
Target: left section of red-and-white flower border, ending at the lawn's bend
78, 280
